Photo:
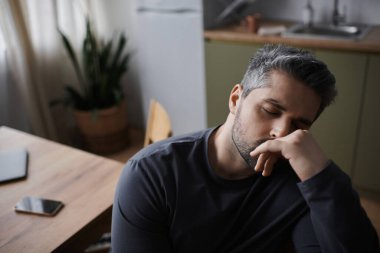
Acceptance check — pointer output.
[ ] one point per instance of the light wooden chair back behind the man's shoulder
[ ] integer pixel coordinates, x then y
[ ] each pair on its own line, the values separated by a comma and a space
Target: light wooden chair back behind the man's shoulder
158, 124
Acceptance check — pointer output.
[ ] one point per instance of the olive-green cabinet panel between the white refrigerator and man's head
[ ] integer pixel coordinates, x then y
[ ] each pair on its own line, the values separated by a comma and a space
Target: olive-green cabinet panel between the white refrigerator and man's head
226, 64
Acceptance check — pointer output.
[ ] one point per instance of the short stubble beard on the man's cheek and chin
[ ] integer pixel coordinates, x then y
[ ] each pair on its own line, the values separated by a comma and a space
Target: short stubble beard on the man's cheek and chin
241, 141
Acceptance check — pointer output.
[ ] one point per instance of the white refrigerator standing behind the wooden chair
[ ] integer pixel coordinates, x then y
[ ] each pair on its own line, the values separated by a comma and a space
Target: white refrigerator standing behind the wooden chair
170, 60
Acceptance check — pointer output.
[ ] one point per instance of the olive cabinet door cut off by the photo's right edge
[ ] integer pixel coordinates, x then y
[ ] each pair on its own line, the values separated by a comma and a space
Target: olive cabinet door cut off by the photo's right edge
366, 173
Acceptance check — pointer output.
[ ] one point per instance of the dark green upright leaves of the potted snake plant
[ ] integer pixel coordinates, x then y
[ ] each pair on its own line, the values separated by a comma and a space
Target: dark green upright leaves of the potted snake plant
103, 65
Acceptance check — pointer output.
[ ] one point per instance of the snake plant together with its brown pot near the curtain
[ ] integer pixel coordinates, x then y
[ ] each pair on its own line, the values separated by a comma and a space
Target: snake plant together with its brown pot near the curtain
99, 104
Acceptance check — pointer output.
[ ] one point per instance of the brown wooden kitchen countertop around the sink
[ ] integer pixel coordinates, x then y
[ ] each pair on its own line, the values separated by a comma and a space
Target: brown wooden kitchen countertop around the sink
240, 34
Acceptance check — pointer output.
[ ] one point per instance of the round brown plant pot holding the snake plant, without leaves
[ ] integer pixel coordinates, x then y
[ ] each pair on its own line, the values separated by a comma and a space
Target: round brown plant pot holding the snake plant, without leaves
104, 131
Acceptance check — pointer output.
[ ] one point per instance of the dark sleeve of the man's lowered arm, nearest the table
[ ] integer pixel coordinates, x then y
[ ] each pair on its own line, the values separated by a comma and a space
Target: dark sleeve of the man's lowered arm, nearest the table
138, 217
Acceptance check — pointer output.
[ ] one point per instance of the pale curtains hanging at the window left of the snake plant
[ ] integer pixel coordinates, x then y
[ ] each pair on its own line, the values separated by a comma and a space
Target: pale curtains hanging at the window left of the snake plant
35, 67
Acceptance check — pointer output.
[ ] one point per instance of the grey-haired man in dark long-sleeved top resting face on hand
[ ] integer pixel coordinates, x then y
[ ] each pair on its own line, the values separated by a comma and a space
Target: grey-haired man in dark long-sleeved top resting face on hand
253, 184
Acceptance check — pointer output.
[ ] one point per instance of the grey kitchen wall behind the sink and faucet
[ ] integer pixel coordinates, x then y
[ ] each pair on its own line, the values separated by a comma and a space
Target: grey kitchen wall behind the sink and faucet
363, 11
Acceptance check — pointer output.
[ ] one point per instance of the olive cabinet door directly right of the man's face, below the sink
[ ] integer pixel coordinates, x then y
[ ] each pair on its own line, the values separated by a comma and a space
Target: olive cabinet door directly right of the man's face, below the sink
336, 129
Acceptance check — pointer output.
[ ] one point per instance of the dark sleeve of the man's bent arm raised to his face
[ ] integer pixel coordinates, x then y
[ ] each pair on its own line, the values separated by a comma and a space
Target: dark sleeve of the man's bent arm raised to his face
339, 222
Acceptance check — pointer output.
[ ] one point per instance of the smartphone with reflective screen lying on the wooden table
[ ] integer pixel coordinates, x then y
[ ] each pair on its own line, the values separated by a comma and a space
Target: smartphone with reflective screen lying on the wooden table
40, 206
